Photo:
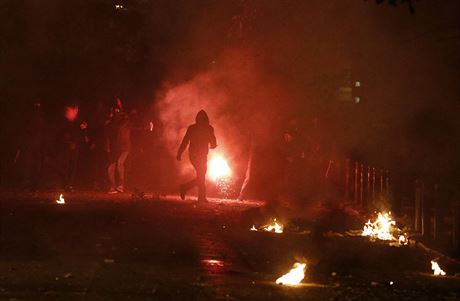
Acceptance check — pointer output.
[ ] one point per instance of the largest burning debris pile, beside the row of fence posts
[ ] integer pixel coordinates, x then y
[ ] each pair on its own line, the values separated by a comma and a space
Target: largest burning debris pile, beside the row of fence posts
384, 228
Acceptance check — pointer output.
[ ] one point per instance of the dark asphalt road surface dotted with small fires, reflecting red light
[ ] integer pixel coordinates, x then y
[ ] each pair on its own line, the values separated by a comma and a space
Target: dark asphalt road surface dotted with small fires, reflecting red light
96, 247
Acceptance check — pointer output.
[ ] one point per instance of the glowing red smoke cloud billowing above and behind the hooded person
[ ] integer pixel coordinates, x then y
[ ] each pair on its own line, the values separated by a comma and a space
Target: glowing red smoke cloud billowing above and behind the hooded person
240, 98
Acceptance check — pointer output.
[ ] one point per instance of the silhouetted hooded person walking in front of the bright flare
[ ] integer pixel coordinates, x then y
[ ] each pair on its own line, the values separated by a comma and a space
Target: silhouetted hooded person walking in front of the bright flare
201, 137
